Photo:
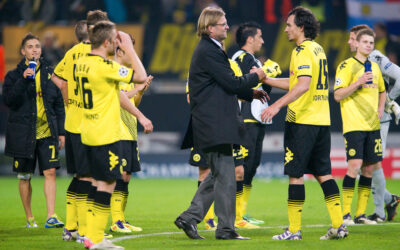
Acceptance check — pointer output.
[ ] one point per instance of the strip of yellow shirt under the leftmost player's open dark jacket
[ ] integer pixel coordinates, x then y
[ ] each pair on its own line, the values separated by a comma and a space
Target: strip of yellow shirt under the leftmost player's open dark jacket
42, 124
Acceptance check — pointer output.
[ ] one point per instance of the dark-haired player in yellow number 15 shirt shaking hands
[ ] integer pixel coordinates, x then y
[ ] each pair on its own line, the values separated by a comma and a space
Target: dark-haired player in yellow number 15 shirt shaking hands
307, 128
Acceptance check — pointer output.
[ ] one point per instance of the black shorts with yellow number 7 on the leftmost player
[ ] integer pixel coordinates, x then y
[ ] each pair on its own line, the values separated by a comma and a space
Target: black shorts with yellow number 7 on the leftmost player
46, 153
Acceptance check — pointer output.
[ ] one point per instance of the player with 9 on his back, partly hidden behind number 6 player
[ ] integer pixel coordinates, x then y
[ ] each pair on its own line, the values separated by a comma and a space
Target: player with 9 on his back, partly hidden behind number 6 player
77, 161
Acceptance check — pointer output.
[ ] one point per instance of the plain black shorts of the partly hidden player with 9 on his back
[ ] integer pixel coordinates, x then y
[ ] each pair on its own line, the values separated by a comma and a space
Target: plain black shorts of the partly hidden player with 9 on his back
77, 160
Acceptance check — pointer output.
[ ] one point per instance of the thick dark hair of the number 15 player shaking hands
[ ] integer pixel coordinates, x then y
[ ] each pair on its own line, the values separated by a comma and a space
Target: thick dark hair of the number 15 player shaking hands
305, 18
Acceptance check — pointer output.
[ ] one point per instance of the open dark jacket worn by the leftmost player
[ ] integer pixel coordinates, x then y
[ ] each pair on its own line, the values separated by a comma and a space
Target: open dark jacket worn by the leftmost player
19, 95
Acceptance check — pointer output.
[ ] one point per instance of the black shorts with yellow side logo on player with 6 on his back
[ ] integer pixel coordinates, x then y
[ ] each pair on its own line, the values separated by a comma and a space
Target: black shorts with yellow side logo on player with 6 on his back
105, 161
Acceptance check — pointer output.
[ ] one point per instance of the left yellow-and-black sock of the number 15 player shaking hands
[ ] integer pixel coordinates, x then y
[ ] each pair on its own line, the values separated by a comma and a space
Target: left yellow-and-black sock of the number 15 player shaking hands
295, 206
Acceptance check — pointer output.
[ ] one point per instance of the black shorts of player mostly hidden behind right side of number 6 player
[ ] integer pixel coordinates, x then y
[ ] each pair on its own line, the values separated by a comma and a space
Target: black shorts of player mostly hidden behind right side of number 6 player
130, 156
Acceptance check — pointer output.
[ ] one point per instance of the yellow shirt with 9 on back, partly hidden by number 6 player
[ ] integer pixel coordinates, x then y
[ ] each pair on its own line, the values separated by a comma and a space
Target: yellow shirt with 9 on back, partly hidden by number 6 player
73, 115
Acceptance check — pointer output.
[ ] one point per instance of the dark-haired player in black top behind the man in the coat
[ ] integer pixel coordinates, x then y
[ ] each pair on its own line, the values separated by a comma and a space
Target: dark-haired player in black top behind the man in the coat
249, 39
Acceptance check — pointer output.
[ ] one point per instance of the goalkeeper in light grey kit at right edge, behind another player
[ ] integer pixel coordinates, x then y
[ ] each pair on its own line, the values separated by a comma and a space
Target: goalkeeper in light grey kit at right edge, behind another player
390, 71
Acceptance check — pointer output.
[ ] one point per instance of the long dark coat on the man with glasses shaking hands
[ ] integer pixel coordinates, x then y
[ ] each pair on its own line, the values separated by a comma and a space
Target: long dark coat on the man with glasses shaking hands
213, 90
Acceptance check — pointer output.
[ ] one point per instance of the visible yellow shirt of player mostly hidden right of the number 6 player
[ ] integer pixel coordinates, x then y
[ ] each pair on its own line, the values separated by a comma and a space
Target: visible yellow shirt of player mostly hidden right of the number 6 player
128, 121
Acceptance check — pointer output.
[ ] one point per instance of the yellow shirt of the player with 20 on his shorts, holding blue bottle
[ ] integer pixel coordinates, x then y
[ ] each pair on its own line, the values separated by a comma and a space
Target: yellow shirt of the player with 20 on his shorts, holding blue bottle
360, 109
